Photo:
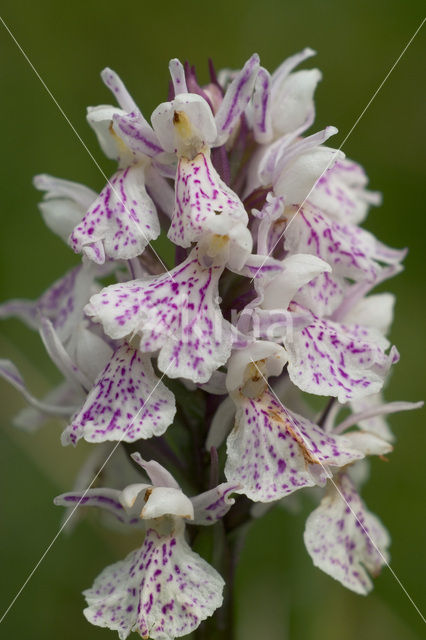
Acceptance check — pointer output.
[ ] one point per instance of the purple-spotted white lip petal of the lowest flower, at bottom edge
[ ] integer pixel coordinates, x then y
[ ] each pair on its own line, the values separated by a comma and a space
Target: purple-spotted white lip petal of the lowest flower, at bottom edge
162, 590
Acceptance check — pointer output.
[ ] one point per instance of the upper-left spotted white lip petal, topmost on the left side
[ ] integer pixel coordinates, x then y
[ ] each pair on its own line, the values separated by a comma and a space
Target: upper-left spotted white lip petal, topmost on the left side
121, 221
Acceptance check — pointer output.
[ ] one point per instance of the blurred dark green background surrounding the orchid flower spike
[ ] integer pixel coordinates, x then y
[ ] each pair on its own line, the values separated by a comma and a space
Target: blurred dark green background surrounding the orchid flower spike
280, 594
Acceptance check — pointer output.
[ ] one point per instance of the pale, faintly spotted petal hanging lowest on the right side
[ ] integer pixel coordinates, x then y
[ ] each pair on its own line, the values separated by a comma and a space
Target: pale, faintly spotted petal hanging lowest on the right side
344, 539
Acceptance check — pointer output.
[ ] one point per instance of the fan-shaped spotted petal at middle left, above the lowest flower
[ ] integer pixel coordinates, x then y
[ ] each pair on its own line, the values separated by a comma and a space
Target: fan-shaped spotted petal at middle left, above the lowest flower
128, 402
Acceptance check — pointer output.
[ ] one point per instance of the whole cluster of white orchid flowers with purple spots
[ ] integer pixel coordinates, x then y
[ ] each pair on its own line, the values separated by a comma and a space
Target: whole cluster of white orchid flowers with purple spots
200, 367
